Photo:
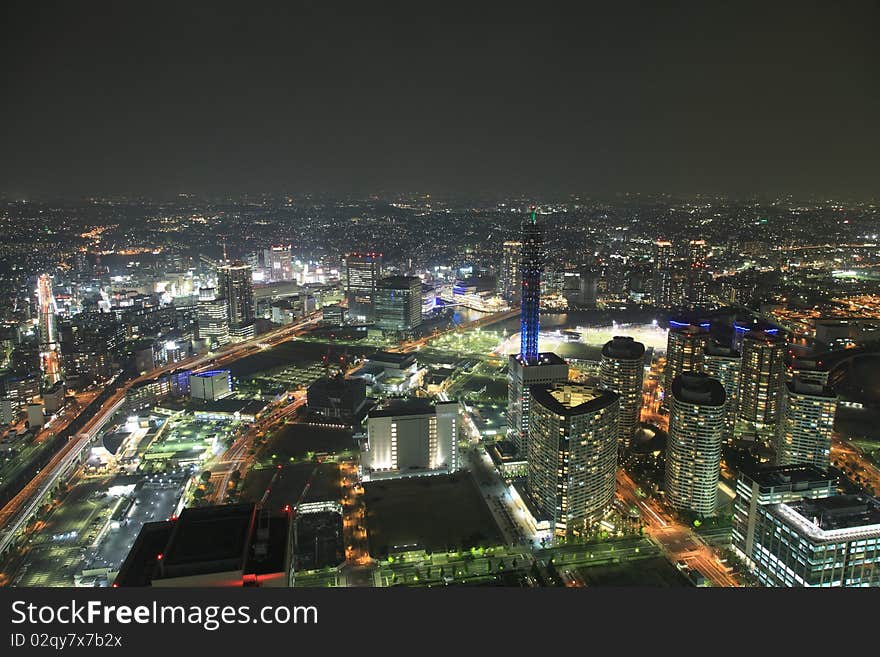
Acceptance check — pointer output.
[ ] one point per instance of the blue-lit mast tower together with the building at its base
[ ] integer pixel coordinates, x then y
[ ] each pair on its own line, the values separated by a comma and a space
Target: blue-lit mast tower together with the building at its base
529, 367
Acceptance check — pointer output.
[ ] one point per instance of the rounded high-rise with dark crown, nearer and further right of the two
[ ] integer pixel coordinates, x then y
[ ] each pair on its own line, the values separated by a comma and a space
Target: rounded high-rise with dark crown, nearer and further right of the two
693, 448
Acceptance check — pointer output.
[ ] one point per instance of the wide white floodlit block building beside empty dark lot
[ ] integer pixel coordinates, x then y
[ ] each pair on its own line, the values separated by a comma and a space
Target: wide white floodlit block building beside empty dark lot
407, 438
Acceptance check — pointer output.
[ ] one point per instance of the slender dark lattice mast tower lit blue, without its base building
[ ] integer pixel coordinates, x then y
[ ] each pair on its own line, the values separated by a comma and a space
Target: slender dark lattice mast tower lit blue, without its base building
531, 266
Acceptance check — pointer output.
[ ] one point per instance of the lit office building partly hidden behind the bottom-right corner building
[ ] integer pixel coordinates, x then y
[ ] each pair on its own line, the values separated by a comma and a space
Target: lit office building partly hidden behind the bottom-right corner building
761, 486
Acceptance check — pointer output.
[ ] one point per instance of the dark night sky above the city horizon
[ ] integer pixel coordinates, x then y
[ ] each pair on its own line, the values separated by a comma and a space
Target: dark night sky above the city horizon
442, 97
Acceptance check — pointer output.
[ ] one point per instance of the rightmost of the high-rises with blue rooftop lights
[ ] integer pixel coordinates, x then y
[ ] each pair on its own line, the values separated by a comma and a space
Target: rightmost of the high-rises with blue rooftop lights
761, 378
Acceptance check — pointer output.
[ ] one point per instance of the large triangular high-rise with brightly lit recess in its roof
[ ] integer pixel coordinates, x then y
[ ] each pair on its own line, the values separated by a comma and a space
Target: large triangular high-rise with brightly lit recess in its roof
572, 458
